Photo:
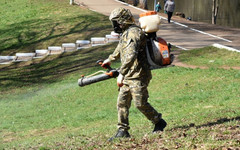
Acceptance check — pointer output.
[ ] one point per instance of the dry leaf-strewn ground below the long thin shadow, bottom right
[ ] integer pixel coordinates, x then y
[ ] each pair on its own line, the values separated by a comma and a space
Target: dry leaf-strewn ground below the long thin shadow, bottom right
227, 137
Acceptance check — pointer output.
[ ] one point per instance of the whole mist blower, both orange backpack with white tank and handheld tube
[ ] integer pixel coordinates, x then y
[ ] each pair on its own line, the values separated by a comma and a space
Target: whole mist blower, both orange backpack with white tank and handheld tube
158, 51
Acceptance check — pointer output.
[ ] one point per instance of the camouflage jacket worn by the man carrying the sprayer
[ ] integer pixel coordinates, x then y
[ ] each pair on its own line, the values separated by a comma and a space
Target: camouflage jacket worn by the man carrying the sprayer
132, 51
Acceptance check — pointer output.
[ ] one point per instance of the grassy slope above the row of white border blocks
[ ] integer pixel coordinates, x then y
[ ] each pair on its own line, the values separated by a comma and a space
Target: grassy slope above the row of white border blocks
27, 25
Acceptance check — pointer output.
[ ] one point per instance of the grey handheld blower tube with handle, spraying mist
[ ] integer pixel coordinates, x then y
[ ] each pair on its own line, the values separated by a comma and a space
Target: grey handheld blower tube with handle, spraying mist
96, 77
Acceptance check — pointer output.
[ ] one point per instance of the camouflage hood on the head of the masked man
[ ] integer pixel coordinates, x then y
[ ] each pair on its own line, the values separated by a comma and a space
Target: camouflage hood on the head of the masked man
122, 16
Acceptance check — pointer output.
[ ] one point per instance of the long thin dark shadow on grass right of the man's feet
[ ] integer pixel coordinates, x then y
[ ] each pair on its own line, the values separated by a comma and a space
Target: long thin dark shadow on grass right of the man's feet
209, 124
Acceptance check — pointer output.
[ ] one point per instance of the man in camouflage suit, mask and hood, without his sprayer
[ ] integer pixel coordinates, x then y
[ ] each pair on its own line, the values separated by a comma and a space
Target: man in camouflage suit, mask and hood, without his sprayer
134, 73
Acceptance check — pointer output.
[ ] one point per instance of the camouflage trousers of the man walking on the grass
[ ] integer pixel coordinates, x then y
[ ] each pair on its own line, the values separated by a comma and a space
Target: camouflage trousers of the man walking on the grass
136, 91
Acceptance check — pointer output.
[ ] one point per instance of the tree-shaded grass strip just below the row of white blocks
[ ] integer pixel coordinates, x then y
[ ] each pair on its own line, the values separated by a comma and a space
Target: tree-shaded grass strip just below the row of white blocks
52, 68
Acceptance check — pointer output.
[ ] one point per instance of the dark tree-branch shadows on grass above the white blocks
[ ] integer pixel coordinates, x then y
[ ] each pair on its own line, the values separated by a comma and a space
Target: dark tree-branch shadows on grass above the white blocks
38, 33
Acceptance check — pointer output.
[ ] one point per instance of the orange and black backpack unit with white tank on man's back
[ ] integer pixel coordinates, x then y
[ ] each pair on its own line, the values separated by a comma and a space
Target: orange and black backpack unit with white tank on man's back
158, 51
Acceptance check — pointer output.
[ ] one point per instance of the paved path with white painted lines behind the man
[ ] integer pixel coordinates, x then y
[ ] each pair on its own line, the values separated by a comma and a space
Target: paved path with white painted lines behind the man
181, 33
